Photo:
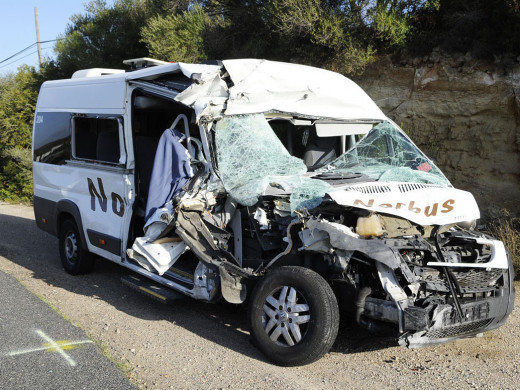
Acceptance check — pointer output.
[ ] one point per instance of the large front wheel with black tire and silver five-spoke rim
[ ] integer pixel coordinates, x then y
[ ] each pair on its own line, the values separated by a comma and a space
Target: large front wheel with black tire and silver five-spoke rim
306, 316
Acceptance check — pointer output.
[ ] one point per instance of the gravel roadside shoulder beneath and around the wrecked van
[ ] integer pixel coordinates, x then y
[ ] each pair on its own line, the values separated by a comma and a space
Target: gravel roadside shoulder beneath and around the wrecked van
190, 344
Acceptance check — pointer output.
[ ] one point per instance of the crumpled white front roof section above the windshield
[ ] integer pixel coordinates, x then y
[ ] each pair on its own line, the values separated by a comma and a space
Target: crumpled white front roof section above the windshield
265, 86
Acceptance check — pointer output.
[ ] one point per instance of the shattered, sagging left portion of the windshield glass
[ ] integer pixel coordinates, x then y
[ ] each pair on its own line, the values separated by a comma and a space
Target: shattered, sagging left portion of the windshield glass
251, 157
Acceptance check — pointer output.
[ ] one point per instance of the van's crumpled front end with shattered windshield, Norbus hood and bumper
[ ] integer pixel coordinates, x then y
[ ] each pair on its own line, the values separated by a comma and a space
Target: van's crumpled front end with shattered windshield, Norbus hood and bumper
381, 223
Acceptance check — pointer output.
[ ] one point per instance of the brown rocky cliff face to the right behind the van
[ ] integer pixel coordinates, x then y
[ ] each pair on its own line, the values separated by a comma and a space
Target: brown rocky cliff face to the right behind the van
464, 114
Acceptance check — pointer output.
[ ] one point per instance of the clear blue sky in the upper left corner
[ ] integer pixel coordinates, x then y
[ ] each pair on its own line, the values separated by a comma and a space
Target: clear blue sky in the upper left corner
17, 28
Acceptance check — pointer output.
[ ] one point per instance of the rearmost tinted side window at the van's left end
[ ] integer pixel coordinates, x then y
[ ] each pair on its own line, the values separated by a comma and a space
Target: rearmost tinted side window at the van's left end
51, 139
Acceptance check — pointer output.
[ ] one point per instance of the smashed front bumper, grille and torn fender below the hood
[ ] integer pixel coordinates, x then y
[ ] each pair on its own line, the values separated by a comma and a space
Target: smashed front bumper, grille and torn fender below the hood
423, 292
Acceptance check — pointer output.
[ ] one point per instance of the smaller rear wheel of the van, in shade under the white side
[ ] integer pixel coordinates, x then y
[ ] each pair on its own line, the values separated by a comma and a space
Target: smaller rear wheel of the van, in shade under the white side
74, 258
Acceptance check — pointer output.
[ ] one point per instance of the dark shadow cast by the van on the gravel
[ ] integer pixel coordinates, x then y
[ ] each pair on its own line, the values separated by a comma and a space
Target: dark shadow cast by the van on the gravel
225, 324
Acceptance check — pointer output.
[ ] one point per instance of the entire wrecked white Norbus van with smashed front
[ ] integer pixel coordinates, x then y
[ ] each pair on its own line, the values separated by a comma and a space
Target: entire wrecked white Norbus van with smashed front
280, 184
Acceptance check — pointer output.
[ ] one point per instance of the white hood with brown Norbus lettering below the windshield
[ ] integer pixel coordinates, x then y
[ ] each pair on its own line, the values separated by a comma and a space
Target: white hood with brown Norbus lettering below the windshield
420, 203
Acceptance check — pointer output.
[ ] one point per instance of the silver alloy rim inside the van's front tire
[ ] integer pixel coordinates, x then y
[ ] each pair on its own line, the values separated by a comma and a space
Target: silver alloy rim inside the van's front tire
285, 318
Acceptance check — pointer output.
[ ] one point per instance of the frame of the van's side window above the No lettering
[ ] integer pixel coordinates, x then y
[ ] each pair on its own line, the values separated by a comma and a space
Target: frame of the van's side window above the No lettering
123, 156
